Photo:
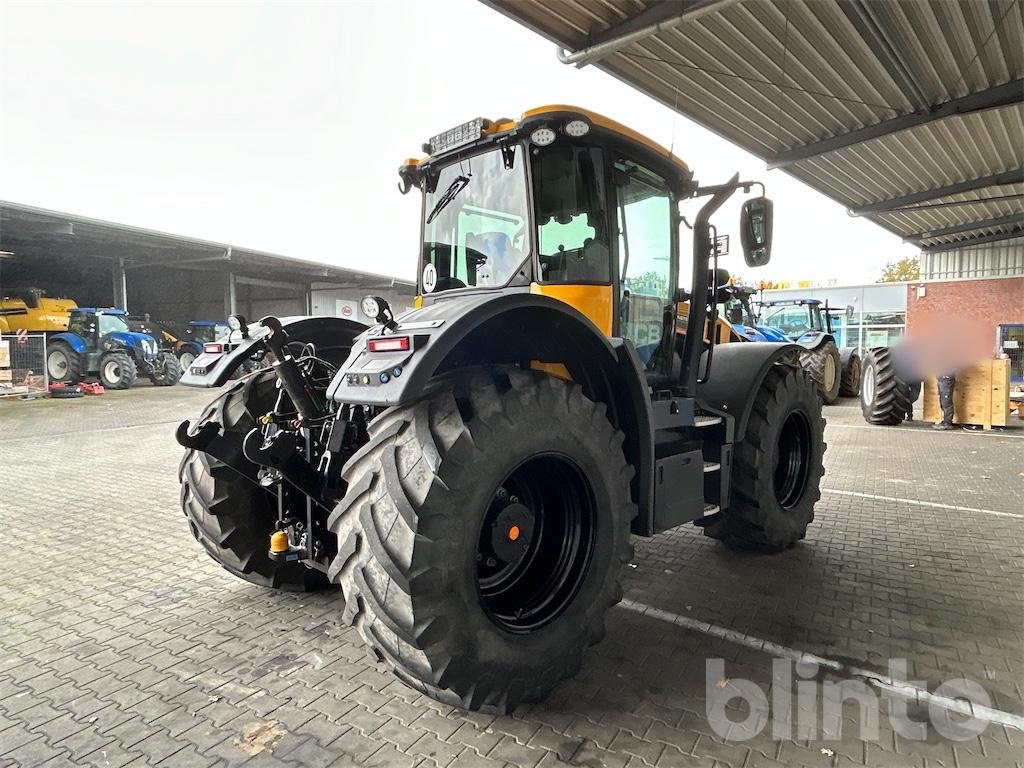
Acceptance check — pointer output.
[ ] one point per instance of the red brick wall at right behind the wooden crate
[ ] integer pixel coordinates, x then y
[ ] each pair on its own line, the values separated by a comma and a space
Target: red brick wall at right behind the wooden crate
979, 306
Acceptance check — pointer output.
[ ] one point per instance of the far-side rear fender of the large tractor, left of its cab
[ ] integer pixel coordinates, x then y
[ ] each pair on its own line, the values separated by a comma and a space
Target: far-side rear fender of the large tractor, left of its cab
214, 370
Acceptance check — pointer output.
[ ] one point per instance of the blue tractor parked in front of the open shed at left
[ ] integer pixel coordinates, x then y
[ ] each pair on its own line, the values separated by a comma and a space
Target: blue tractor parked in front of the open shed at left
99, 343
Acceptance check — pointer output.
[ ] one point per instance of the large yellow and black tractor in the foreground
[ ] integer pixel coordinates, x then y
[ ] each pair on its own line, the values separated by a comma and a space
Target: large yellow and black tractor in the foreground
471, 474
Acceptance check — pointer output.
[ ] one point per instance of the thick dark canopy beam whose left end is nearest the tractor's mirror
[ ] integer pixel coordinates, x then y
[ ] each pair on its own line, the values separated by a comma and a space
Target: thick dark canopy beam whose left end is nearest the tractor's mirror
992, 99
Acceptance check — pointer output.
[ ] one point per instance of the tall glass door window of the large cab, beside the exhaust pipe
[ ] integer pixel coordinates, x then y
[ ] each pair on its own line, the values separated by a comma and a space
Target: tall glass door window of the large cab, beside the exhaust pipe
645, 218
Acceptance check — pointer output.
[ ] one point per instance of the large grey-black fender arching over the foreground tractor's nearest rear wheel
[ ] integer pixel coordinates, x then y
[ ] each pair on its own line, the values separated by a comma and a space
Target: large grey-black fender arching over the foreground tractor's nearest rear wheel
508, 329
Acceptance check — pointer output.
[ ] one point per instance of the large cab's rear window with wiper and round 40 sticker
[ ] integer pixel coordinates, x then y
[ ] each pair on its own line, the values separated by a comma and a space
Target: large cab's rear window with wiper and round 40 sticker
475, 232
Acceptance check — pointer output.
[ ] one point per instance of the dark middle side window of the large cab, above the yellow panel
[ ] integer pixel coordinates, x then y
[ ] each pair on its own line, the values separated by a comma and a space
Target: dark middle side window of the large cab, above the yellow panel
572, 221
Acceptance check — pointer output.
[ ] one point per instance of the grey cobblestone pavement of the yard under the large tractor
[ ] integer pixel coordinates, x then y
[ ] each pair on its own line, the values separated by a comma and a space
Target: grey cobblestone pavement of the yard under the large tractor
121, 644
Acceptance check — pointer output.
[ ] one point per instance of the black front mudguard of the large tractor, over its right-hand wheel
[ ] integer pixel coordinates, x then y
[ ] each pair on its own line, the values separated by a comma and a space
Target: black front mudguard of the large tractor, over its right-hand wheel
737, 373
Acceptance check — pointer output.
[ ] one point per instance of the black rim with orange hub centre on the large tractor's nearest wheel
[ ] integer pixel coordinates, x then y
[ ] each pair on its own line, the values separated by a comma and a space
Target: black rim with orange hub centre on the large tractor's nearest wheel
536, 543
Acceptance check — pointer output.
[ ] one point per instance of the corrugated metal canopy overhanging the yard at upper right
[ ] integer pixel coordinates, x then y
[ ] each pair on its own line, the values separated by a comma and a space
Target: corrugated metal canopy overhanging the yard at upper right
909, 112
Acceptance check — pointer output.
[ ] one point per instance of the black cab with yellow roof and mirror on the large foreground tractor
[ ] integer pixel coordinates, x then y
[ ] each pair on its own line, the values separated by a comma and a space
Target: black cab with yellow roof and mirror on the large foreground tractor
569, 204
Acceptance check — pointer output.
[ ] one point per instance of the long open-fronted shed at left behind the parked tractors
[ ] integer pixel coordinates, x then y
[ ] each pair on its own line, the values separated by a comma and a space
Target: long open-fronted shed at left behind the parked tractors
172, 277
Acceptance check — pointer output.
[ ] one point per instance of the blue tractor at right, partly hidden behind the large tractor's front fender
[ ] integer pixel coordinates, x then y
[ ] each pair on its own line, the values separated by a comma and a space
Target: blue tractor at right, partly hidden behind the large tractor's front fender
808, 323
